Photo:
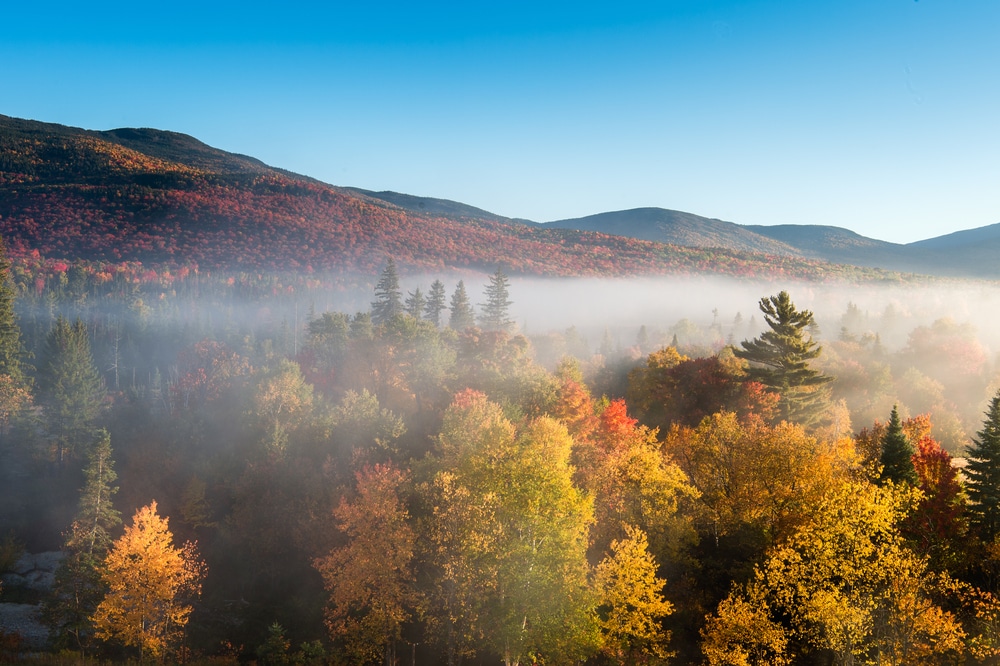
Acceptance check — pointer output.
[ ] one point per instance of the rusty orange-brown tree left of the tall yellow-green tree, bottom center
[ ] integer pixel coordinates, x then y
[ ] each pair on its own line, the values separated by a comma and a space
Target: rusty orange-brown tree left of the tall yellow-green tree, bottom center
370, 579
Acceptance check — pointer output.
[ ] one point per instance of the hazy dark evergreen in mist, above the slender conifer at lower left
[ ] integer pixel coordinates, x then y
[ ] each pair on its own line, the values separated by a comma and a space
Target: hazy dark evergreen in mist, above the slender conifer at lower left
70, 388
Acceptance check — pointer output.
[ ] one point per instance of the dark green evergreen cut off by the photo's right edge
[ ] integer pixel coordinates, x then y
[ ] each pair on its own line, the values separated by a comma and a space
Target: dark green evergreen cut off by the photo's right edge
983, 474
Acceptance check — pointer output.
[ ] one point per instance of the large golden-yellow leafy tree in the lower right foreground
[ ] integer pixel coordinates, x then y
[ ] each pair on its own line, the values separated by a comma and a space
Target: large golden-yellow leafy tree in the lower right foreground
844, 584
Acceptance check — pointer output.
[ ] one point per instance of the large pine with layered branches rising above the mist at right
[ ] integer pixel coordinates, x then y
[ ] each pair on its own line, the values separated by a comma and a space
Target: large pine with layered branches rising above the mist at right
779, 359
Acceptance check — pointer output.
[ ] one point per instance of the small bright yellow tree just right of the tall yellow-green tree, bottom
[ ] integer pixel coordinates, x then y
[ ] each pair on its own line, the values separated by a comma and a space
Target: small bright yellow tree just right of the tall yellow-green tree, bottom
632, 603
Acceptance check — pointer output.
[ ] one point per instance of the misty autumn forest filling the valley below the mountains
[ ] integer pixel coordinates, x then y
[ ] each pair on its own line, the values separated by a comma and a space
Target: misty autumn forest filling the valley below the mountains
232, 474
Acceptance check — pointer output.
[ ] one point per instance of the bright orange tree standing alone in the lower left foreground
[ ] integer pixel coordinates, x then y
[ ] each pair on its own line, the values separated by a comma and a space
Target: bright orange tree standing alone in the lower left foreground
149, 582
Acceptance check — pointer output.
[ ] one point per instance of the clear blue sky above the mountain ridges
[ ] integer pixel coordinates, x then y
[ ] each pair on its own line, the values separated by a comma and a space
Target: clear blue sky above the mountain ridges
882, 116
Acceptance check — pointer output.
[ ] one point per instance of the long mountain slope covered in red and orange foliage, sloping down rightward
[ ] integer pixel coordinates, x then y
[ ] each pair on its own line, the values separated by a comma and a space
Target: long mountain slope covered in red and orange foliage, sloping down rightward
163, 198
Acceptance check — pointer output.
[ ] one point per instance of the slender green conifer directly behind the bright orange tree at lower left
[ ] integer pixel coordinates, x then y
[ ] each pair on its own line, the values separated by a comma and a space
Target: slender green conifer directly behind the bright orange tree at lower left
78, 587
